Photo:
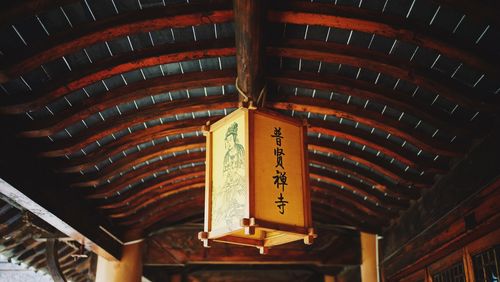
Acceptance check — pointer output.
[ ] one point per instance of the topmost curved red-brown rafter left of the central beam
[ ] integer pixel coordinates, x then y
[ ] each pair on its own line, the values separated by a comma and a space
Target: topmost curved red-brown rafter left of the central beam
172, 16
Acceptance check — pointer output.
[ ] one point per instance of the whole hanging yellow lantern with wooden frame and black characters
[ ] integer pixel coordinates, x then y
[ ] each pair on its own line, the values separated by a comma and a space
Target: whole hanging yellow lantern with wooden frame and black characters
257, 181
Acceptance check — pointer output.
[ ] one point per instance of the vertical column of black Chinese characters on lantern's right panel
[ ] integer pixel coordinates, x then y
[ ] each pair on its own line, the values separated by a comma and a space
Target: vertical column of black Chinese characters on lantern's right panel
280, 176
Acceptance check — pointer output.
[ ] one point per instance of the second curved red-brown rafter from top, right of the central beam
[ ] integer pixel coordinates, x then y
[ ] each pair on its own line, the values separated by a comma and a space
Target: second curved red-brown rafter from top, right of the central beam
429, 79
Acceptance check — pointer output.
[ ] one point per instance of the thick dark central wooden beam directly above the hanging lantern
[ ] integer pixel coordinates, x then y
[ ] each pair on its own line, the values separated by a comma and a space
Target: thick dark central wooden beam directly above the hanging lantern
250, 20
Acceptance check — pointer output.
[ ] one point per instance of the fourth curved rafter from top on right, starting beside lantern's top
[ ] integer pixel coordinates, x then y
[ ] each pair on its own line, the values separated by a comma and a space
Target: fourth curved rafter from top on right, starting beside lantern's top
375, 120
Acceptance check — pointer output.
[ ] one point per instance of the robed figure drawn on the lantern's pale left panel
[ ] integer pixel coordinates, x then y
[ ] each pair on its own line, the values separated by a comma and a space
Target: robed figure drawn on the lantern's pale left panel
233, 193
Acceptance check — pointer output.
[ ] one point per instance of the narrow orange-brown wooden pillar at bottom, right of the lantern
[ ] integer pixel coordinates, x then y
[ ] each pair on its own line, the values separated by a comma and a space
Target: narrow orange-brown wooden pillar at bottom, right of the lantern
369, 258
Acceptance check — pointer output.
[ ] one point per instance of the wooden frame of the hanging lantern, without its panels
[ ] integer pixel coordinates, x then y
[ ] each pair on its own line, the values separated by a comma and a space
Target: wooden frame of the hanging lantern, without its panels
270, 233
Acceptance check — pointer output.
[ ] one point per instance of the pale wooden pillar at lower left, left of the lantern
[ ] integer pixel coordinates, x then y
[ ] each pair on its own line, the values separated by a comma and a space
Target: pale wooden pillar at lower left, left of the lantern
128, 269
